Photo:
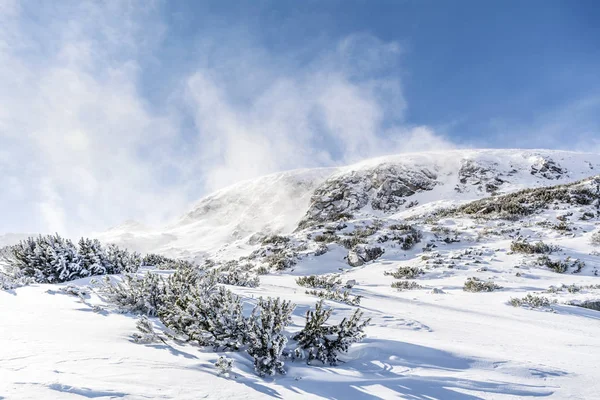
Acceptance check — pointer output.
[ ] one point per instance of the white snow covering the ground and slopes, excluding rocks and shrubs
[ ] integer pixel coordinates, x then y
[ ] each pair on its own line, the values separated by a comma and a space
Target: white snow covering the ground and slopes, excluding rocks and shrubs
438, 342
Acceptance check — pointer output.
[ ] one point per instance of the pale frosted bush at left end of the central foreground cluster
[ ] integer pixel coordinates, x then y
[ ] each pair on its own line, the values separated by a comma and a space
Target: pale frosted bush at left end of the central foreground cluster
136, 294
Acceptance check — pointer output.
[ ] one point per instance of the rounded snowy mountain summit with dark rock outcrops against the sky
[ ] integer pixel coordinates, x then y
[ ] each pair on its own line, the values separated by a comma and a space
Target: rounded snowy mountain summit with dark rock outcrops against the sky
380, 187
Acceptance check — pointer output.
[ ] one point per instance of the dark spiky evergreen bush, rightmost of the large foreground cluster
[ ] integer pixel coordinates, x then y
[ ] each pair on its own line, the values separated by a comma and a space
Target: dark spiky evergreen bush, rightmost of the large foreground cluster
323, 342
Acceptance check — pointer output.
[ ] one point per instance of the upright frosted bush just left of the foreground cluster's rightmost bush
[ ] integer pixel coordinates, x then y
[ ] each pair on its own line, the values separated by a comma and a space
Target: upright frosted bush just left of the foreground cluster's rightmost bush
266, 339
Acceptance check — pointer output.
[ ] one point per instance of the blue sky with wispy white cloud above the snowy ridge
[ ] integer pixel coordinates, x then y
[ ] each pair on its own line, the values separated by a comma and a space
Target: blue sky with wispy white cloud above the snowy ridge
134, 109
